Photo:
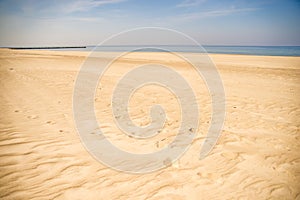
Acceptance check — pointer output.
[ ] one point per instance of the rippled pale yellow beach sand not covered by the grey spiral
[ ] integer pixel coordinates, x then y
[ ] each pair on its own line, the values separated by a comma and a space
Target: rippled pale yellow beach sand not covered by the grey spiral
257, 155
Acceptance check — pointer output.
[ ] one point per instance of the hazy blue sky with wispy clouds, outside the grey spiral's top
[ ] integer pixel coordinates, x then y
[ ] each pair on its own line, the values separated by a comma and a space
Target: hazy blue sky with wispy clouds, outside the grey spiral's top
89, 22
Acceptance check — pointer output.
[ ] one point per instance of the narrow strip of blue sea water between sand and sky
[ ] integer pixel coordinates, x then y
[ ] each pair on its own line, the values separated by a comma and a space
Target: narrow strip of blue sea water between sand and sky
244, 50
